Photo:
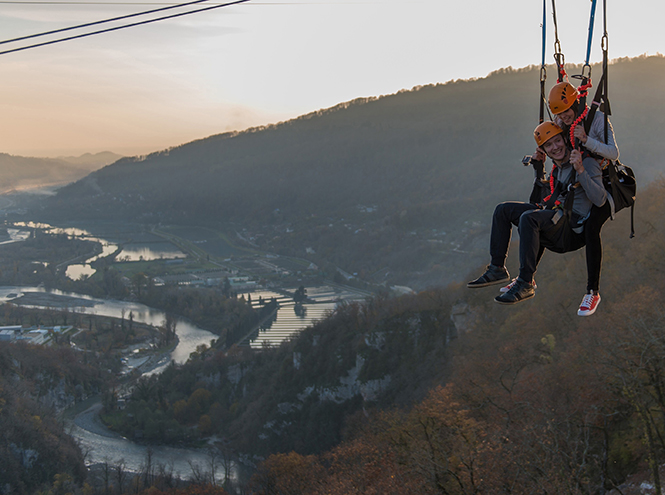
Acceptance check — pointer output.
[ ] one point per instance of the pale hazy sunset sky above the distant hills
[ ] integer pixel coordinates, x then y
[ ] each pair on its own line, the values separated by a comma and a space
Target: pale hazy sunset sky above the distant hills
150, 87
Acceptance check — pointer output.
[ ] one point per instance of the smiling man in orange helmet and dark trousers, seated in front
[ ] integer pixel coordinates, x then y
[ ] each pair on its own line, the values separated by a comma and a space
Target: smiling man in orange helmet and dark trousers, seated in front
537, 223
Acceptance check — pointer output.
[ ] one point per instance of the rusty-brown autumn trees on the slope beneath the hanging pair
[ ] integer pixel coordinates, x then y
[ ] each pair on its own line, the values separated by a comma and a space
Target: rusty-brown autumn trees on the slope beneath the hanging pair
538, 400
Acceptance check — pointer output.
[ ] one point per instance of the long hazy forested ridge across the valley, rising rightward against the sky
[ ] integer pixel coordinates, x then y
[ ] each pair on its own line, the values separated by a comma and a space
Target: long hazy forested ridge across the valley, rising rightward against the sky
435, 157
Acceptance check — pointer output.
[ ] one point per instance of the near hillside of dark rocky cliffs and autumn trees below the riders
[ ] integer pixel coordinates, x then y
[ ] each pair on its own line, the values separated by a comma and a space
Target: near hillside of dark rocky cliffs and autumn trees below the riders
446, 391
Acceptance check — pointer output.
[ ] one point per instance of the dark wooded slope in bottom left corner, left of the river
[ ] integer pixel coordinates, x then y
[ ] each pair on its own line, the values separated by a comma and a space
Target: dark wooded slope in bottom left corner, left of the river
36, 383
